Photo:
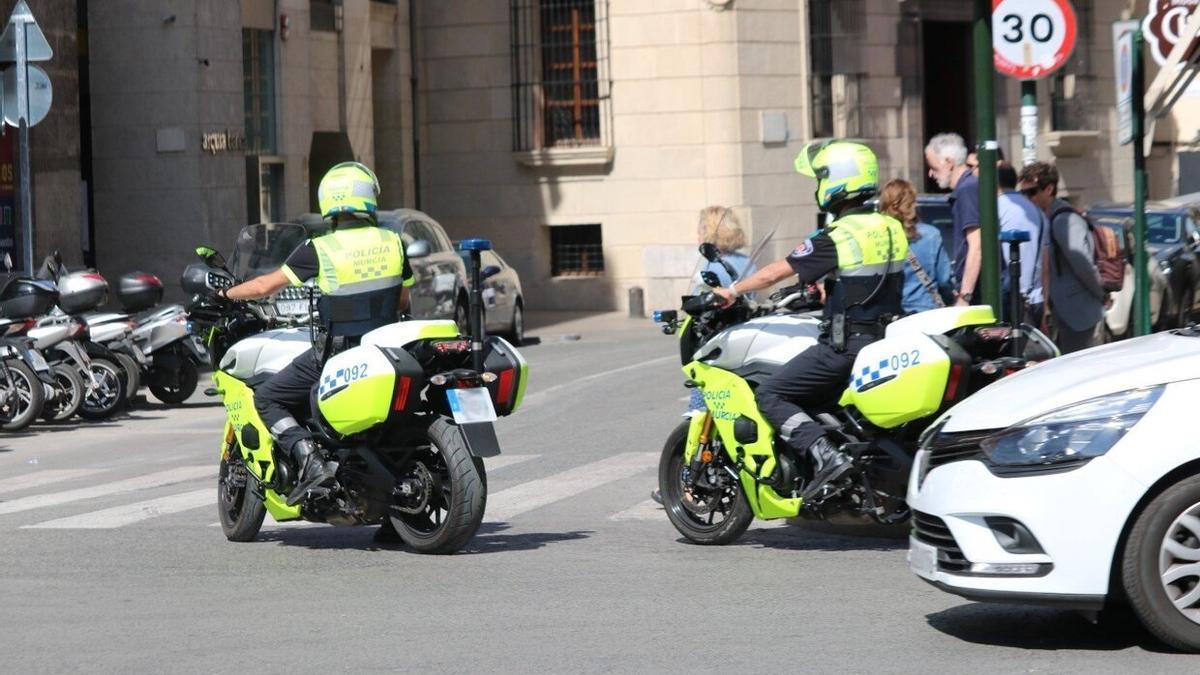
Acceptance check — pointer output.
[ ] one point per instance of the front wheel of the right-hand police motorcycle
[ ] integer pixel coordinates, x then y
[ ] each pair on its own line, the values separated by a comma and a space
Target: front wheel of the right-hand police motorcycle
694, 527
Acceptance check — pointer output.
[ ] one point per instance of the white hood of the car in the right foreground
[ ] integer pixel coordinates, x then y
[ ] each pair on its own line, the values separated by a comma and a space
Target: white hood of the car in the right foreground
1130, 365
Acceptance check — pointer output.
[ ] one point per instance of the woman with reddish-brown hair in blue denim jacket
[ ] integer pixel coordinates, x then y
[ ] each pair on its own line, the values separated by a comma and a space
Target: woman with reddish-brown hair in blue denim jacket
927, 274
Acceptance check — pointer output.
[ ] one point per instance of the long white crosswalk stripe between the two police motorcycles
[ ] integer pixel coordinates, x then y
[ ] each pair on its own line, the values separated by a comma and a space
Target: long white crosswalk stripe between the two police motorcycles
537, 494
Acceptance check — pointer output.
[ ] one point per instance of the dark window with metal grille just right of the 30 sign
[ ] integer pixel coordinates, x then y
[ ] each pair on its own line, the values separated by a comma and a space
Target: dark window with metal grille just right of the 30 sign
1073, 87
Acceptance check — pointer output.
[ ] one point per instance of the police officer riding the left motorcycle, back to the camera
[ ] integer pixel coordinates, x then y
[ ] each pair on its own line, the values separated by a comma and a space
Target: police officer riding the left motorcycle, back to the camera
364, 278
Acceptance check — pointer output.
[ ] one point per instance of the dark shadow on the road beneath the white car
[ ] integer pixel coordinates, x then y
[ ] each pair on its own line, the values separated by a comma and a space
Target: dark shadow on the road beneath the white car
1043, 629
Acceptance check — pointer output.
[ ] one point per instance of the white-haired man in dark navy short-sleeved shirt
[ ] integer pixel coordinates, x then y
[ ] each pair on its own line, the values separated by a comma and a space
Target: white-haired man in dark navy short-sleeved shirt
947, 159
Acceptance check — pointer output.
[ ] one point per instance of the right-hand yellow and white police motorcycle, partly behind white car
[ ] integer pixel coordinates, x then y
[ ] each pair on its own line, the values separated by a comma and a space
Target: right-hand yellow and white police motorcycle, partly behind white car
723, 468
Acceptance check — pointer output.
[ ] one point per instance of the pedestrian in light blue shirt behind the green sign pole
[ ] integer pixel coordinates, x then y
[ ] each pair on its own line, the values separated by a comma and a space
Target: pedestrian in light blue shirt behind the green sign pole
1019, 214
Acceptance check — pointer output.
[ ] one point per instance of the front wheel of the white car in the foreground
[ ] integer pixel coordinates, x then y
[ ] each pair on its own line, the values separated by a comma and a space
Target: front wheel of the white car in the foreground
1161, 566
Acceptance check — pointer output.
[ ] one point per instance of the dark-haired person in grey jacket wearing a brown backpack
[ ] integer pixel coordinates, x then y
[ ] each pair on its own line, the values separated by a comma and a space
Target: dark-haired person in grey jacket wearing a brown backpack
1075, 294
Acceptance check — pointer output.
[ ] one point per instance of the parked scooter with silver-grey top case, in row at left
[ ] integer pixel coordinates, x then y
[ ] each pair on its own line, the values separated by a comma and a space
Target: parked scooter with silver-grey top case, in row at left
91, 379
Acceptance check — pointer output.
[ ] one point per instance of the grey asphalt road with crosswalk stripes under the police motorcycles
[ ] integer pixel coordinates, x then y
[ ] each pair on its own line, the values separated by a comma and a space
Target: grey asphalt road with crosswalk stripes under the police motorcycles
111, 561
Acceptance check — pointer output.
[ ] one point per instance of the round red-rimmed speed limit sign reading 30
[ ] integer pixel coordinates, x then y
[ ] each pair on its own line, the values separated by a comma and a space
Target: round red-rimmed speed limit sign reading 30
1033, 39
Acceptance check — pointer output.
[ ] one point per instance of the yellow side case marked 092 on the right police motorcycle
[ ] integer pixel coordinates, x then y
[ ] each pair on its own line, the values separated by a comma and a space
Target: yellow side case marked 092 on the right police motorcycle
899, 380
